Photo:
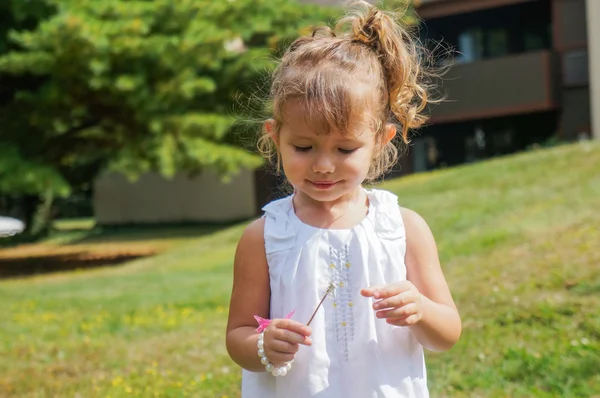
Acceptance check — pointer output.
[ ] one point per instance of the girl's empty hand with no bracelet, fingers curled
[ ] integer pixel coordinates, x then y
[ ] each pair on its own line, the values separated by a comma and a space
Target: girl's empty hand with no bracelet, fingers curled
400, 303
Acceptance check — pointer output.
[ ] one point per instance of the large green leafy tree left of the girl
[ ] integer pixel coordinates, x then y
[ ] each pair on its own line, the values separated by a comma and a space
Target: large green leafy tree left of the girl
140, 85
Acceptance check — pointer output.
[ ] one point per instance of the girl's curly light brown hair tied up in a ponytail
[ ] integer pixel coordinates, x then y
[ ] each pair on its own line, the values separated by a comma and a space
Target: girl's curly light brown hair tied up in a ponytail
375, 52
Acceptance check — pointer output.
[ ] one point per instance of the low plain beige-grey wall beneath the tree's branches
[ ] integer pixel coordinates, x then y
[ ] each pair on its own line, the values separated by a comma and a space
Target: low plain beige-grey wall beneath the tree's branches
153, 199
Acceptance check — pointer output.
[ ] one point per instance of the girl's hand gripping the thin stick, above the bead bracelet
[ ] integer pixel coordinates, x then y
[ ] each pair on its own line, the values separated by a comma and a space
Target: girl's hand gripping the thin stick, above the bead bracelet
282, 340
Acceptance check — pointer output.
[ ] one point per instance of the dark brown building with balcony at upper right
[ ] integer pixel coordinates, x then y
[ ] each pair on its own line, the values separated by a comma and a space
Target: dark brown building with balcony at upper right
519, 76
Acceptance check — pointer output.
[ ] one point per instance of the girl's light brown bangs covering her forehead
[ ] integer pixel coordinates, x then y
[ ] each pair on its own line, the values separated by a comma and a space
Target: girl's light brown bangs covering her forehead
331, 99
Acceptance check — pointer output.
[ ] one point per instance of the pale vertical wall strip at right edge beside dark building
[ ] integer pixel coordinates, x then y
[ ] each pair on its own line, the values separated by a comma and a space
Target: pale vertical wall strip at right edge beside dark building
593, 28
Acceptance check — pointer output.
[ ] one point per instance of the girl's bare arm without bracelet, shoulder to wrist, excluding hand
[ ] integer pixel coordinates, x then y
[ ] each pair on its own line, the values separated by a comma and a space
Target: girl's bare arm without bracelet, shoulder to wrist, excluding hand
440, 326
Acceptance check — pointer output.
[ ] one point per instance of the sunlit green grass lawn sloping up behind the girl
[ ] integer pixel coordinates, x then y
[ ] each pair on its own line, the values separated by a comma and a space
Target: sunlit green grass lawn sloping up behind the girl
519, 239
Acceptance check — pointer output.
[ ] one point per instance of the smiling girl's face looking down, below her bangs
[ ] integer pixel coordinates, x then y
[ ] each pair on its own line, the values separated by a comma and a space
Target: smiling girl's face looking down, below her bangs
324, 167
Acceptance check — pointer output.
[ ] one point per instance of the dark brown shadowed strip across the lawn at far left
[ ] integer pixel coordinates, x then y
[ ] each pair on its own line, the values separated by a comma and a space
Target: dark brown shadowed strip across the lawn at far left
29, 266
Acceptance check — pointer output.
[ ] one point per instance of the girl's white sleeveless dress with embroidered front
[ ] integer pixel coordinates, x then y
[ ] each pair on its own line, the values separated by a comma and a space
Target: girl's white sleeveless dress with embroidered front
354, 354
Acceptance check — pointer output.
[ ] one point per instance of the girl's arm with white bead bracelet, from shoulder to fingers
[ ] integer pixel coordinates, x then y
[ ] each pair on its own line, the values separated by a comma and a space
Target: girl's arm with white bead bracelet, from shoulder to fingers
251, 296
